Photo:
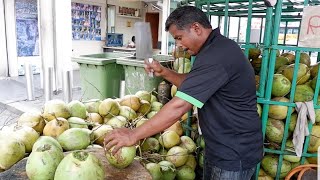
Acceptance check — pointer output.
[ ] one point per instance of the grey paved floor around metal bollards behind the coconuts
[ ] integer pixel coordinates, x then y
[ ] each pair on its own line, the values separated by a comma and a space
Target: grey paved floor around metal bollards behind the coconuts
13, 97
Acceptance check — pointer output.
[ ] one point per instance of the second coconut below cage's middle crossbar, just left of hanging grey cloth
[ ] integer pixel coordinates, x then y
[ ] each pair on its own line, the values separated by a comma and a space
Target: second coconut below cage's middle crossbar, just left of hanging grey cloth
274, 130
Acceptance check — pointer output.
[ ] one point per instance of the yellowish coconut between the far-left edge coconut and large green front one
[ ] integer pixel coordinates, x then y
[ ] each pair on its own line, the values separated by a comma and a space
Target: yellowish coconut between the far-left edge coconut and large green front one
28, 136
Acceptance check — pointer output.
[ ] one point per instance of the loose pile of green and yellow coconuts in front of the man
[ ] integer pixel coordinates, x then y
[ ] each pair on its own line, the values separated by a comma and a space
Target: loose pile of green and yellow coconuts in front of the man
77, 126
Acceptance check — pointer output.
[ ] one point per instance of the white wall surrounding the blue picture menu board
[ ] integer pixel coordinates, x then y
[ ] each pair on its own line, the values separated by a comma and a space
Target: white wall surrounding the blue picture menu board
91, 47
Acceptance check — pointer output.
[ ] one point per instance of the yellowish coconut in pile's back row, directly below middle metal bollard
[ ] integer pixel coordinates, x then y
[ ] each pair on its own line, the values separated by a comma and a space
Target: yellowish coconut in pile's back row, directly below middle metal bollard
54, 109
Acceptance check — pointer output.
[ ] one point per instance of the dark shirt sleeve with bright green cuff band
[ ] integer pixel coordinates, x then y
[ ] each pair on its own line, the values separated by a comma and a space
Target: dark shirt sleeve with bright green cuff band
201, 83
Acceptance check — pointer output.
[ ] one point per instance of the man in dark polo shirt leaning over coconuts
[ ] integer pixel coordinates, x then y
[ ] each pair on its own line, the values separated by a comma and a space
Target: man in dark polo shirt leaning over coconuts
221, 85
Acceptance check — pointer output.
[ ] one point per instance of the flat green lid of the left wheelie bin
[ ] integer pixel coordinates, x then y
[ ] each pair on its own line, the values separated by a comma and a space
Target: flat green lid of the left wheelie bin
100, 59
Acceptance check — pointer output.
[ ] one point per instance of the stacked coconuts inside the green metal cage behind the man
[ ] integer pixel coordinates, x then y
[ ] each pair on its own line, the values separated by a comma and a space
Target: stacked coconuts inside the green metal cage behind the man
282, 86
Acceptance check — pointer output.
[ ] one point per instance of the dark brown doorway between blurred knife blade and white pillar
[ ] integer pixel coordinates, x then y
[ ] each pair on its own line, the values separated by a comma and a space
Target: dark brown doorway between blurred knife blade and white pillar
153, 19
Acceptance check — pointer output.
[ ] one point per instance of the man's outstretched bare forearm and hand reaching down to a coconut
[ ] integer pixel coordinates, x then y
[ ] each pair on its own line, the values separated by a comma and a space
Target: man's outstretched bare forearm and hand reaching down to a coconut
167, 116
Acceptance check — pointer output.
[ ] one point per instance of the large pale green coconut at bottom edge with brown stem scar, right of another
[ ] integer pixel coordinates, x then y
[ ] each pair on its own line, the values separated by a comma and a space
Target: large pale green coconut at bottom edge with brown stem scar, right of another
80, 165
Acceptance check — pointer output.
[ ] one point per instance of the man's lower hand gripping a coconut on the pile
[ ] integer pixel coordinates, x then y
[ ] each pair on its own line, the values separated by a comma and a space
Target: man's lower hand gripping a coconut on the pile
119, 138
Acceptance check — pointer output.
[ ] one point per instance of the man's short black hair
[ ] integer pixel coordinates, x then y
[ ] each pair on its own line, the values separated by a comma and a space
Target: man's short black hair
184, 16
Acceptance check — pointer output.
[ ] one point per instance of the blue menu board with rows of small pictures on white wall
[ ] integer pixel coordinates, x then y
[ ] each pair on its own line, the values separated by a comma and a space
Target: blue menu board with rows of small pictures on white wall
86, 21
